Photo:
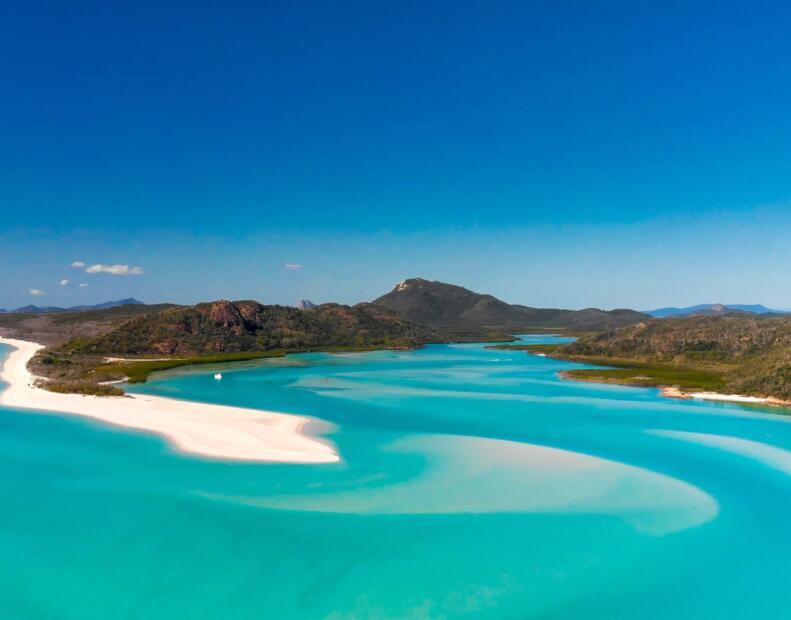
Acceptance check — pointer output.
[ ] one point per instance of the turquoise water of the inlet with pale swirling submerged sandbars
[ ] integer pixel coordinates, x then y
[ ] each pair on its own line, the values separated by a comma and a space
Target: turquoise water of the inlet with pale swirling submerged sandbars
474, 484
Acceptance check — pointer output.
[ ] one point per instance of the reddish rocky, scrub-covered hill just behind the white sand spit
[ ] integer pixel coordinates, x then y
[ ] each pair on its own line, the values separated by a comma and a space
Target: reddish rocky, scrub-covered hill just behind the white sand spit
209, 333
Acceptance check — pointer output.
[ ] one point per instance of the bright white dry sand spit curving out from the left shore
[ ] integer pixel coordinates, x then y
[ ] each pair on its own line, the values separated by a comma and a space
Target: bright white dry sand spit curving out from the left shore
201, 429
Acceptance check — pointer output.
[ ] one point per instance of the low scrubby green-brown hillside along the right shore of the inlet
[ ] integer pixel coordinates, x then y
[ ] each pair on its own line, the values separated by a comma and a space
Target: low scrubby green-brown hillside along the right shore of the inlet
737, 353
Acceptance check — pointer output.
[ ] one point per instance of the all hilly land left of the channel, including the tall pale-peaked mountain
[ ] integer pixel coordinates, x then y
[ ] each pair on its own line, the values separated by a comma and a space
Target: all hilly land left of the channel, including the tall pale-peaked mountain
152, 338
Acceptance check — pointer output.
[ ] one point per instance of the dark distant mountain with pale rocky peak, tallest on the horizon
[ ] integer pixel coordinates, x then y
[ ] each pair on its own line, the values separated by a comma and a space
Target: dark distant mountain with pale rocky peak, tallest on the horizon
448, 306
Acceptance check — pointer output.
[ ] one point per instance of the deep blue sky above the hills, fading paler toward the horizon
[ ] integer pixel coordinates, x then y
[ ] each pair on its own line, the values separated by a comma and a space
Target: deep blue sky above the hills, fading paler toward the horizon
555, 154
